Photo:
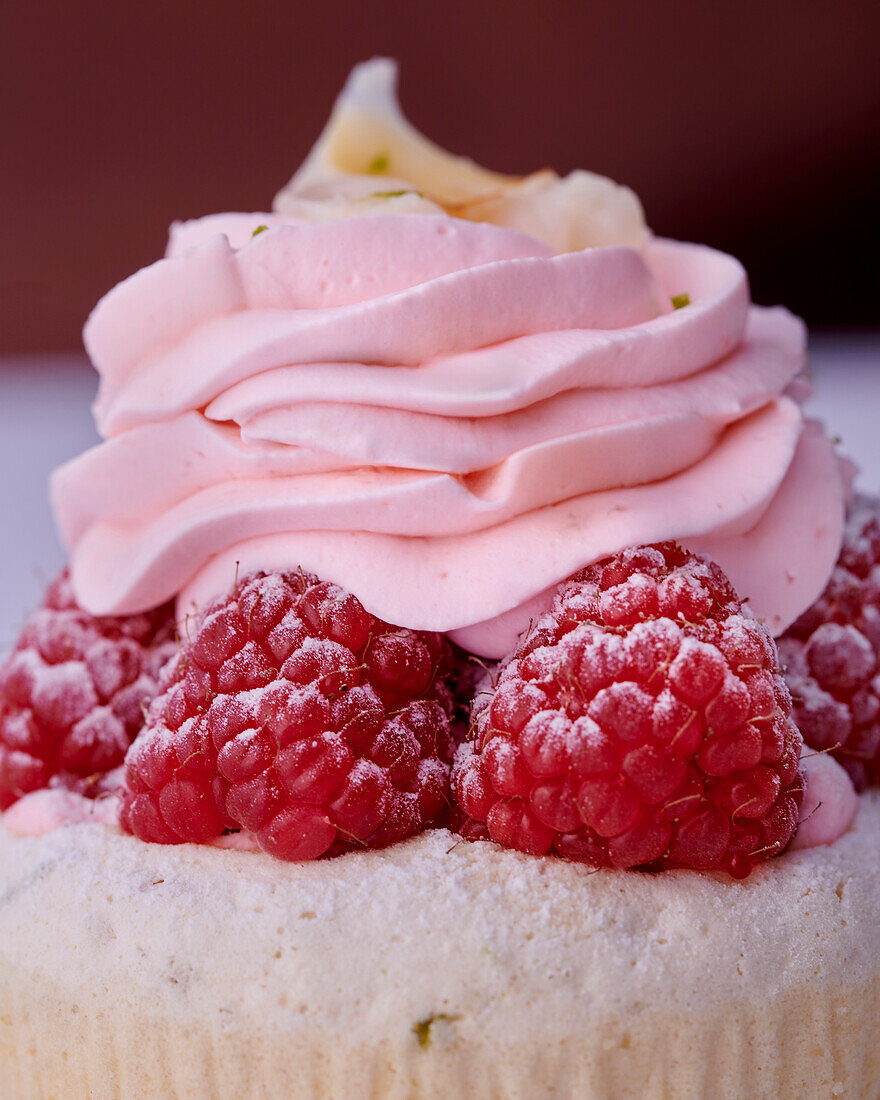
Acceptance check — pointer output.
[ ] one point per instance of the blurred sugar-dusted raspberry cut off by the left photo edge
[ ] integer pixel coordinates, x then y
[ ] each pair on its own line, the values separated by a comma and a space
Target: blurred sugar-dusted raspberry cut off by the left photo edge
73, 694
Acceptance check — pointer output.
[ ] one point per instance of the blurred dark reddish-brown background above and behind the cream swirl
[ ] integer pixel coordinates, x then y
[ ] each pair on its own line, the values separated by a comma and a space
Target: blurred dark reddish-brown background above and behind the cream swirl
751, 126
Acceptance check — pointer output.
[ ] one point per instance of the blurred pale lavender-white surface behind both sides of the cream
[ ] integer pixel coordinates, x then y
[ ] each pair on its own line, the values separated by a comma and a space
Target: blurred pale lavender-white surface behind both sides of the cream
46, 420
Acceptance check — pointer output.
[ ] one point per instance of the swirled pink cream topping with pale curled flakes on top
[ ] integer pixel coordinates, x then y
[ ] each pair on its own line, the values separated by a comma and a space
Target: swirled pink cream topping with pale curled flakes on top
443, 414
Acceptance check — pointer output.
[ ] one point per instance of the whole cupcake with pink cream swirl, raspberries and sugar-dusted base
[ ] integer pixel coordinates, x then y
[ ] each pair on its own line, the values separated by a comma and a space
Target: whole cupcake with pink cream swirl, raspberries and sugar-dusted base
411, 722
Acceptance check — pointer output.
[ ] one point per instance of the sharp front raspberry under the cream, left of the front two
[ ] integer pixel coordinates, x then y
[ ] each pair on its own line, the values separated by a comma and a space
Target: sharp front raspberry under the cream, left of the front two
299, 717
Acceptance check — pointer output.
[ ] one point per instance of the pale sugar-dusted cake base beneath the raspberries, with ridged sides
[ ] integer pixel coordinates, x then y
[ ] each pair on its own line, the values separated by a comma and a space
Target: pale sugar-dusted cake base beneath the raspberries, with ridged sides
435, 970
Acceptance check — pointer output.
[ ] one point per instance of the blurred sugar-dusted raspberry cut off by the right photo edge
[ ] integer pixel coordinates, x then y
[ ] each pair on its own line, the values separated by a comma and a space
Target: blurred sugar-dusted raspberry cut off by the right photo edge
832, 654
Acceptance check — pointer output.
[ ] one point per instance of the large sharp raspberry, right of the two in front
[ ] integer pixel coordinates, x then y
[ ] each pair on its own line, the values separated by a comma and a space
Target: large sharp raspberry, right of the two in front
644, 723
